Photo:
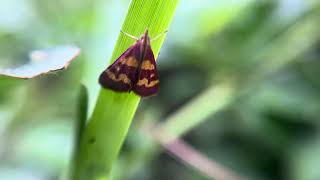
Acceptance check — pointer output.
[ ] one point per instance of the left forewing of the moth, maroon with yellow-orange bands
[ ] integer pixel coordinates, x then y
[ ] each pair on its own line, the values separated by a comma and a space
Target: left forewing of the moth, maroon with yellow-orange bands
121, 75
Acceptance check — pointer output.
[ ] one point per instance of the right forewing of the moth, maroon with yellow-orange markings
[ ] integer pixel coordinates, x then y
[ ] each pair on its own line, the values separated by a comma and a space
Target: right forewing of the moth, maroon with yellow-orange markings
148, 79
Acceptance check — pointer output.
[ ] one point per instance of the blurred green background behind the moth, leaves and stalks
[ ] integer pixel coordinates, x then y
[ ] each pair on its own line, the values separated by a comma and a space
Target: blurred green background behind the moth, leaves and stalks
267, 50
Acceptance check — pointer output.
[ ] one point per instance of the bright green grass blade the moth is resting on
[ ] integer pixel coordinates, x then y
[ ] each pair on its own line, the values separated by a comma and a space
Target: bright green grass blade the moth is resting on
113, 113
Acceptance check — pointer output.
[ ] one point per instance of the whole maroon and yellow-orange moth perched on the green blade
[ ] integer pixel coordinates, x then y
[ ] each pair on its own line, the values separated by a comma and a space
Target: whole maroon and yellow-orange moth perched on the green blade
135, 70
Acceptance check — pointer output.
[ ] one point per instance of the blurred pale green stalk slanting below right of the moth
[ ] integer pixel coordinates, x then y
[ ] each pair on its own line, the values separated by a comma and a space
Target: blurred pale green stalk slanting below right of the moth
197, 111
